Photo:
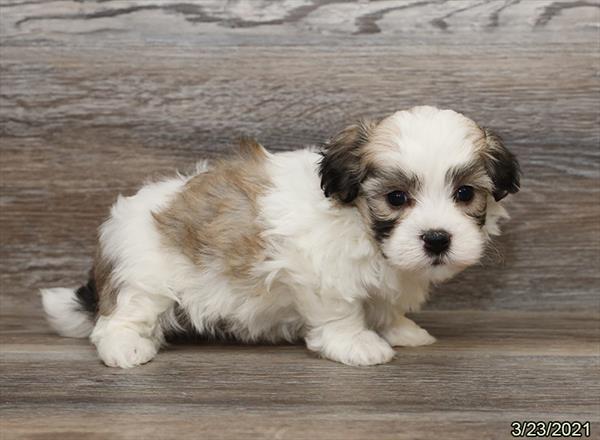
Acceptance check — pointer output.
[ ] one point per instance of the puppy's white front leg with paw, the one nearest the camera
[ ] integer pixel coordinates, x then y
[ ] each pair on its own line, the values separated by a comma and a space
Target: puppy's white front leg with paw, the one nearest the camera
338, 332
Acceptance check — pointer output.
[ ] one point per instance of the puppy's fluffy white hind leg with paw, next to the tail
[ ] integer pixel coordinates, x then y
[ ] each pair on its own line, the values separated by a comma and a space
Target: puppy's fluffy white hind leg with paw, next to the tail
131, 334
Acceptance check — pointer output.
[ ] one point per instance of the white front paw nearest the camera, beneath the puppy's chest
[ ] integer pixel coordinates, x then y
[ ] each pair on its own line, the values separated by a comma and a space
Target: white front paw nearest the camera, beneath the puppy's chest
364, 348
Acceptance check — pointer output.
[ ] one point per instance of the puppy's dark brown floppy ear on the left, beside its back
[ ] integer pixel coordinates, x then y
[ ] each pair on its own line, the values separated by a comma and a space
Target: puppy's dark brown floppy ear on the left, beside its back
341, 169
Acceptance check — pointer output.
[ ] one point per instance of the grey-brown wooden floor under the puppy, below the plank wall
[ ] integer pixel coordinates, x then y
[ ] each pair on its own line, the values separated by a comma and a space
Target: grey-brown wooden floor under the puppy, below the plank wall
486, 370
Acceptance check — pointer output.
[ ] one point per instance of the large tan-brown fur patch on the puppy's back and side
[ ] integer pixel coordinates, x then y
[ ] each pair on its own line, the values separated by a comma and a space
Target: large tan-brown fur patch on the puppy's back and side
215, 217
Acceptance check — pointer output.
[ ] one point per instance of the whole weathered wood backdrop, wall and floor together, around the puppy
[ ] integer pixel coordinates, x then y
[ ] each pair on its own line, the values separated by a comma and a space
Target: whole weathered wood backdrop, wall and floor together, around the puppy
97, 95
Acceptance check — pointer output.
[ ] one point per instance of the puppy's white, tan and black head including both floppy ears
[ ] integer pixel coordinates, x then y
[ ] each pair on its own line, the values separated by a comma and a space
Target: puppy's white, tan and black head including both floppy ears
428, 182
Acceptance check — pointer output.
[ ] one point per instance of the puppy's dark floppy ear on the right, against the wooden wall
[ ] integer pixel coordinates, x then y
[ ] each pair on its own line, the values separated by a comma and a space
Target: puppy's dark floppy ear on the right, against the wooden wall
501, 165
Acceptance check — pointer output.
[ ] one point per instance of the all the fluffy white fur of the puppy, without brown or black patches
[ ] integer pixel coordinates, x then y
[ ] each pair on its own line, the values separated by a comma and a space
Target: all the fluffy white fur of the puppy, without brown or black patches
326, 280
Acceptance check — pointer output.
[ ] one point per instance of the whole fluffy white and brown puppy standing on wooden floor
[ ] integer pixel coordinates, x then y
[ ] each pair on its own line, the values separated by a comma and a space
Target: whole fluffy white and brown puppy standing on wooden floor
332, 247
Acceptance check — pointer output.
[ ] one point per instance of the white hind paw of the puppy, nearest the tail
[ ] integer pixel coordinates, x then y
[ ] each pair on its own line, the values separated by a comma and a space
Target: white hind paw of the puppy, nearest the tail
126, 349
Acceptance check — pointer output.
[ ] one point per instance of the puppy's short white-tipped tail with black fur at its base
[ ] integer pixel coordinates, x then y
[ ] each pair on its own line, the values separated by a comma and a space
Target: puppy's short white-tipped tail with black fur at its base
71, 312
